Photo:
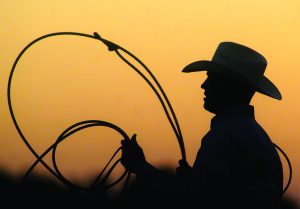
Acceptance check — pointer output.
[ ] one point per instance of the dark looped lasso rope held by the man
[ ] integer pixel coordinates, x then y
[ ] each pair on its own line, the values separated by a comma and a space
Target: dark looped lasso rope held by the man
156, 87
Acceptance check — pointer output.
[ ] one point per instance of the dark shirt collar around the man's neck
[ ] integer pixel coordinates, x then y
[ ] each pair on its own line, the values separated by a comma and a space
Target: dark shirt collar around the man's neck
231, 112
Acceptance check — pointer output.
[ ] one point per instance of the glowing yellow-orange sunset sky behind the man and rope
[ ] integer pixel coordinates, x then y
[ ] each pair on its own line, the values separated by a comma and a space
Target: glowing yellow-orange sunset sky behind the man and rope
63, 80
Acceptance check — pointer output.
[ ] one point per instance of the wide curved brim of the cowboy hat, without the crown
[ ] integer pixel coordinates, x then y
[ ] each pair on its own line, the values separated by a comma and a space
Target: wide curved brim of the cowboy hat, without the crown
263, 86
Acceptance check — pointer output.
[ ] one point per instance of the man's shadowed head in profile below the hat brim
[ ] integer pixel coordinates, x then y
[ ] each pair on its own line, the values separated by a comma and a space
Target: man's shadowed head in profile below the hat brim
221, 93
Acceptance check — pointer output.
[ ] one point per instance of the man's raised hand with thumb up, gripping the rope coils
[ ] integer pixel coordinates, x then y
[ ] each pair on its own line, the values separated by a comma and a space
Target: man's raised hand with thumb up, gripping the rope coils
133, 157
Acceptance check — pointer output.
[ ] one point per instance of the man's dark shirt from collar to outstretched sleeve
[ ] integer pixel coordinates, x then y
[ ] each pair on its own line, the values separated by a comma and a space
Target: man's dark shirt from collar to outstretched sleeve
237, 166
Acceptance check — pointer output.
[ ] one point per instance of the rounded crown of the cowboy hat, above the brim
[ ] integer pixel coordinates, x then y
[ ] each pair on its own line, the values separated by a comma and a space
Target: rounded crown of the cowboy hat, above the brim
241, 59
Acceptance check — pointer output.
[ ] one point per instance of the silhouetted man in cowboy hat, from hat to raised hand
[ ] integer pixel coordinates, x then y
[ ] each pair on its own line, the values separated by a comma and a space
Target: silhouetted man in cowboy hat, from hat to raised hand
237, 165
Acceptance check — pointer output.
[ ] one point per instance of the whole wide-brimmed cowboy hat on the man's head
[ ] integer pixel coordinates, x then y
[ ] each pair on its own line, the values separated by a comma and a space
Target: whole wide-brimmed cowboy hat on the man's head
238, 62
